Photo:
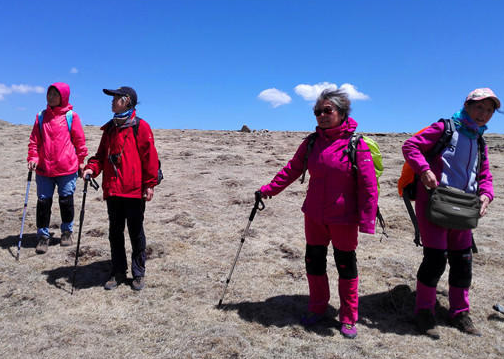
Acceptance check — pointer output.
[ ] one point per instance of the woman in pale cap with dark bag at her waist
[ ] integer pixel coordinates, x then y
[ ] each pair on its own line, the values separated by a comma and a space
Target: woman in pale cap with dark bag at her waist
456, 166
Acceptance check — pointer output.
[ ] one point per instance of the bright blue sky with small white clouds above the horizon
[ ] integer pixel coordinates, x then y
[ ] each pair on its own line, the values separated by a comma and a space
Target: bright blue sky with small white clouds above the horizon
221, 64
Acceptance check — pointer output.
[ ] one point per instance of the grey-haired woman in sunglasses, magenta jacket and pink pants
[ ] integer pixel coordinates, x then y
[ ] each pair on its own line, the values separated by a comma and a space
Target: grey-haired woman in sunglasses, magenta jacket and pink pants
340, 201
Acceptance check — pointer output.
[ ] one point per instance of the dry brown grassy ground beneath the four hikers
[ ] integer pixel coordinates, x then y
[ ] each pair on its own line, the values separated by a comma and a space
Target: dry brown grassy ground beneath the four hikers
193, 228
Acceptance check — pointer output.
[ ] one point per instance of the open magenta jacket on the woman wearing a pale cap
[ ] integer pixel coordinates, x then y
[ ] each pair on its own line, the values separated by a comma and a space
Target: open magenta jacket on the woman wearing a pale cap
415, 147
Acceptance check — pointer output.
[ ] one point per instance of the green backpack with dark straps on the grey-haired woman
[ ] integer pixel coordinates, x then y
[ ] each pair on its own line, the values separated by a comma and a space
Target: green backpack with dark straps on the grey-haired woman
351, 152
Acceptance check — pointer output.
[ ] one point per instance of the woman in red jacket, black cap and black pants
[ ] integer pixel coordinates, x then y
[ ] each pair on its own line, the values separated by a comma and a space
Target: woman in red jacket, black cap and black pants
129, 161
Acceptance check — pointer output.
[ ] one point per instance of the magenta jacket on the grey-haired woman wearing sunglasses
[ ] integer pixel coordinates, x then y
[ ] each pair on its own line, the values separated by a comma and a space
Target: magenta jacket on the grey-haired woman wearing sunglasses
335, 195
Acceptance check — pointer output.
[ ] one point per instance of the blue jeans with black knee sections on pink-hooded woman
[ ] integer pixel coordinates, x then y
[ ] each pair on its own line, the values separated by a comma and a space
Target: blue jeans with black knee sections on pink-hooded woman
45, 190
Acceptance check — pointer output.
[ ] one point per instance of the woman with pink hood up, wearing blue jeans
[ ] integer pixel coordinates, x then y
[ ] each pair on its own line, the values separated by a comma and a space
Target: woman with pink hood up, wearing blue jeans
56, 151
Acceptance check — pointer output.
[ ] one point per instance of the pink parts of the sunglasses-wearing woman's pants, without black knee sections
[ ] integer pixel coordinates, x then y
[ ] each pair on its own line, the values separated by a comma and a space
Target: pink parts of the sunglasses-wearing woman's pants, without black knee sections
343, 237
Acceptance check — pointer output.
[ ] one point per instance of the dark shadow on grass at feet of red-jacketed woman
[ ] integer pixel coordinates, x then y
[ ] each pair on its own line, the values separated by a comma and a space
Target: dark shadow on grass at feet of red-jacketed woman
86, 276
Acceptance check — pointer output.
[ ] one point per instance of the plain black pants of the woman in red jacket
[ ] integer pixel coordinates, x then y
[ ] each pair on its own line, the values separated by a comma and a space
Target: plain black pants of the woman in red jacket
128, 211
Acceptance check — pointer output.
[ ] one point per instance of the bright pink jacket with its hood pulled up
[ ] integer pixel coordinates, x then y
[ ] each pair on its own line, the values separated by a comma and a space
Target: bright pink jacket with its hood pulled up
56, 151
